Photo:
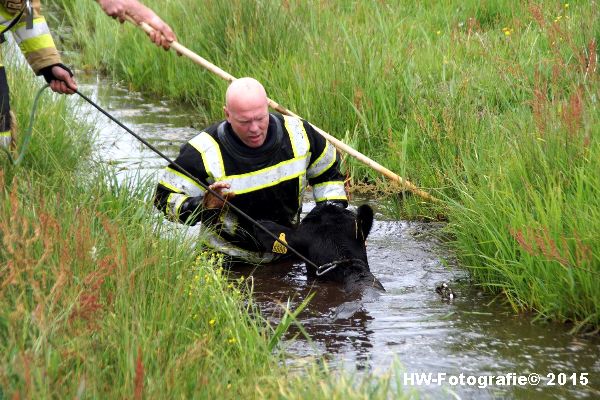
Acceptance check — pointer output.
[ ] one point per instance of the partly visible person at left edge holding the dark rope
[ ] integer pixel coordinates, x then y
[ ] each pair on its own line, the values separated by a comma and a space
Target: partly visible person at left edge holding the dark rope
22, 18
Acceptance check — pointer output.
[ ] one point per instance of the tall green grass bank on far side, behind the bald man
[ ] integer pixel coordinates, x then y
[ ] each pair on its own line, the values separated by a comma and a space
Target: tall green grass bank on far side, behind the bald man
491, 106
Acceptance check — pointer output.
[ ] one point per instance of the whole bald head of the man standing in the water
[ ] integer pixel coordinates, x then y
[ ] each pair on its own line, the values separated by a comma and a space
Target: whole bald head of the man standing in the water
247, 110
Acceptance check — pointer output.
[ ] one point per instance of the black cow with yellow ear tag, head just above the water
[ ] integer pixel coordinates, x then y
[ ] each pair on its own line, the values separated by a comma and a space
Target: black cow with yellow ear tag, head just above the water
334, 239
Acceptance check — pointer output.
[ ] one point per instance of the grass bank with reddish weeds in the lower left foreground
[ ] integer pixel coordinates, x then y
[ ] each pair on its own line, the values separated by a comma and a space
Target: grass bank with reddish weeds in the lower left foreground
97, 302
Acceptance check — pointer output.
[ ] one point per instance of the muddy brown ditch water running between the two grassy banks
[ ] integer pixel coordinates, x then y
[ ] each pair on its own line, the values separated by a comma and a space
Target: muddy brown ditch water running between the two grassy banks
409, 325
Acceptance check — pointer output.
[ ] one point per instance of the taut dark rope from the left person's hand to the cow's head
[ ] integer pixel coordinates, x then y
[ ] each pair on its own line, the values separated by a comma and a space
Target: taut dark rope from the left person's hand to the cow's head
217, 195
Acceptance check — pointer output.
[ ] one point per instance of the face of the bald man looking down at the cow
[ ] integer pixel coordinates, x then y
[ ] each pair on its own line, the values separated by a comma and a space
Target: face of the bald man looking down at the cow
250, 122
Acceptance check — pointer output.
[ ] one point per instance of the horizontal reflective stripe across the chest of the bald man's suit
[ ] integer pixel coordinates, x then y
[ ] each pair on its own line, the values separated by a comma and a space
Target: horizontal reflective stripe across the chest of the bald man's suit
267, 177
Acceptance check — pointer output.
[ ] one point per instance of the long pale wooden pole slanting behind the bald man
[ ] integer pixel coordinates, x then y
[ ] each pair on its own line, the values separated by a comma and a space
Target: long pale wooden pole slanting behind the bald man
276, 106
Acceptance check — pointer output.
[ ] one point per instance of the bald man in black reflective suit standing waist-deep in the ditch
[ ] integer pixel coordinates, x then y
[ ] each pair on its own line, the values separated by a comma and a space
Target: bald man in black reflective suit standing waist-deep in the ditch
261, 162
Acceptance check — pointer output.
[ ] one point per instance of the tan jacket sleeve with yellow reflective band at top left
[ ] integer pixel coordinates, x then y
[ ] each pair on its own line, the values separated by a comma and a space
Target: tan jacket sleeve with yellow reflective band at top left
36, 44
